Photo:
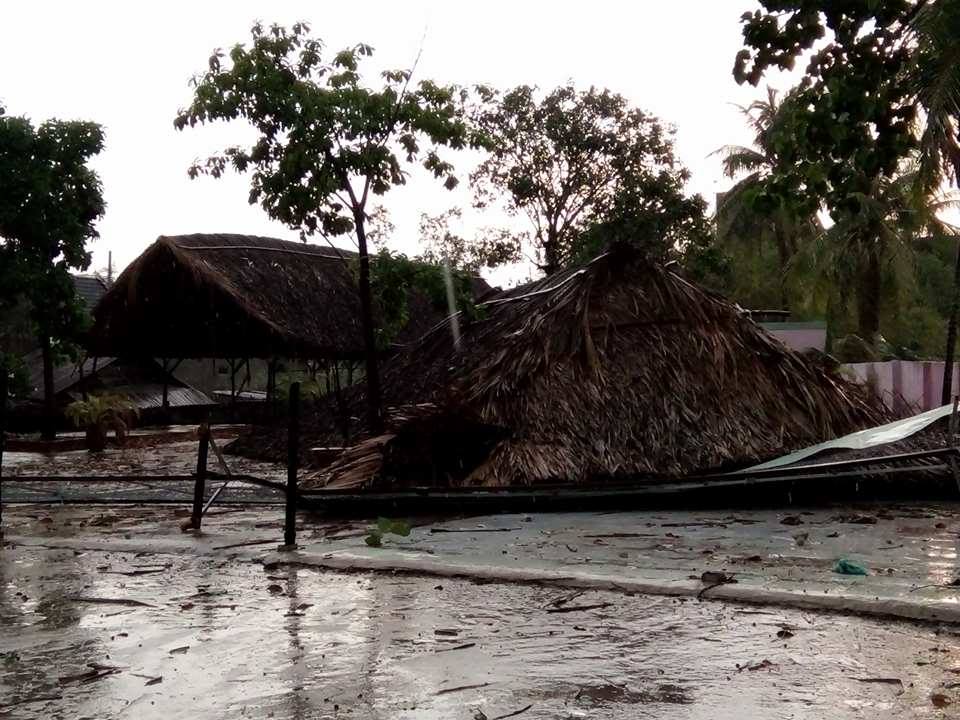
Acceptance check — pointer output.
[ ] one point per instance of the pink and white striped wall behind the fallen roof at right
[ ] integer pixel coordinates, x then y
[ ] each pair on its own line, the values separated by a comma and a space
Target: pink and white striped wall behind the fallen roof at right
906, 386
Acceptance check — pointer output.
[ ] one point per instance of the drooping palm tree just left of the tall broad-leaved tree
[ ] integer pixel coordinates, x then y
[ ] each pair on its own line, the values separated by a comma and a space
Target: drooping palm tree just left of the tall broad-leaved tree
739, 223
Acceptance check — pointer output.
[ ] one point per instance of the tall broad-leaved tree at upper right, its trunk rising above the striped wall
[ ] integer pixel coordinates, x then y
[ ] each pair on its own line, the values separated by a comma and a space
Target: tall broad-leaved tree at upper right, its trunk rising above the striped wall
851, 119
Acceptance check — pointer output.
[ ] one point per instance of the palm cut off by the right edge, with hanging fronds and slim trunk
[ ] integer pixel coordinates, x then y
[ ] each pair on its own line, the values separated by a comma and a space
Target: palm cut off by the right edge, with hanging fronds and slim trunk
934, 75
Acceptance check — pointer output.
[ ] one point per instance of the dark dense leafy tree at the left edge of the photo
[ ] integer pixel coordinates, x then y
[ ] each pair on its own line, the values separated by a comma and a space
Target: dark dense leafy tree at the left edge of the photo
50, 200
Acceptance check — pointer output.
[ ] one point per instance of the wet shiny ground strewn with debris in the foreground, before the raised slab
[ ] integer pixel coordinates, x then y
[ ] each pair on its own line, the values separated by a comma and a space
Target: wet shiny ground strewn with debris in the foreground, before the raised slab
180, 625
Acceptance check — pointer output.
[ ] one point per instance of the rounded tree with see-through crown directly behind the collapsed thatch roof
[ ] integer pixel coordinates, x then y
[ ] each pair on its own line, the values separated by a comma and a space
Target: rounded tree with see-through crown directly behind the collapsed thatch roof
569, 161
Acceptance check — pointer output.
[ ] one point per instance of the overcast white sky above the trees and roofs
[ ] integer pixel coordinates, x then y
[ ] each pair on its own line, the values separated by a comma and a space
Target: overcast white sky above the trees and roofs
126, 65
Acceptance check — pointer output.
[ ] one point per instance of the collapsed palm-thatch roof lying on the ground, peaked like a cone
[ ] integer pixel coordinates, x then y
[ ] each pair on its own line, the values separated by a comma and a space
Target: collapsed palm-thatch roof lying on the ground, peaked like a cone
613, 371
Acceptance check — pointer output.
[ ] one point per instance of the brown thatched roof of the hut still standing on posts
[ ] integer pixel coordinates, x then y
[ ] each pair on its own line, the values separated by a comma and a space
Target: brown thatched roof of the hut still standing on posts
193, 296
